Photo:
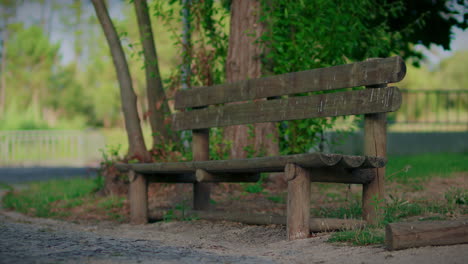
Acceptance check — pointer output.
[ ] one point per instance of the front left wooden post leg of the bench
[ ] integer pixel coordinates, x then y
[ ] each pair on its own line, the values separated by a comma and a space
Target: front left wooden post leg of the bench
138, 196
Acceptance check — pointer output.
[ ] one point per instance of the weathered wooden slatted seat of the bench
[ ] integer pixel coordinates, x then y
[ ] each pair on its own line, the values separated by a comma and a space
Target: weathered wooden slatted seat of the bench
325, 168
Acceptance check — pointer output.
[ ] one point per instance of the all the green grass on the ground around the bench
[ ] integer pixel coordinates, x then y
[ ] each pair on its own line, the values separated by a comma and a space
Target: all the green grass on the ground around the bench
58, 198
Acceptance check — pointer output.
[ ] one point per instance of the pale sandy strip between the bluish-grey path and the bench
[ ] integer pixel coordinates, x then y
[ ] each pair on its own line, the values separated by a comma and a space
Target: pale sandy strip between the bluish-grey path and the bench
240, 243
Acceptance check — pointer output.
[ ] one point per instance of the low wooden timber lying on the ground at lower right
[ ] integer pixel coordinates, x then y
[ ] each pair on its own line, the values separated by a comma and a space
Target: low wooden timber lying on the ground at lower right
426, 233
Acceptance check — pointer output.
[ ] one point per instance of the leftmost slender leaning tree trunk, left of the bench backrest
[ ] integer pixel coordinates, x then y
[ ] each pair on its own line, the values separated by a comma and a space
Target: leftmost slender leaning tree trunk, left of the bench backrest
137, 148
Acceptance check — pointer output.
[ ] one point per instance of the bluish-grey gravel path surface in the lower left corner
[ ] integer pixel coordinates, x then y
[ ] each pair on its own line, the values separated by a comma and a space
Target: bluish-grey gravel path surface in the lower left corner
36, 243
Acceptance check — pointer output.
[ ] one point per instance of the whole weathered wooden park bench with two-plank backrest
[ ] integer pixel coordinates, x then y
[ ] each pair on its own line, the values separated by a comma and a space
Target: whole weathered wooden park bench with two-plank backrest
206, 107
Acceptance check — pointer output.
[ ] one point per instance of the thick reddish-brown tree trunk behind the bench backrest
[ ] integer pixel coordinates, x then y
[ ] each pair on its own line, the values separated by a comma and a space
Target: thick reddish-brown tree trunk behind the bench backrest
243, 63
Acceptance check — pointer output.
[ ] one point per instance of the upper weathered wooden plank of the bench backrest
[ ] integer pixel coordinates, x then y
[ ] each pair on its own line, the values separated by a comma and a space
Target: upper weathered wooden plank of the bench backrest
376, 71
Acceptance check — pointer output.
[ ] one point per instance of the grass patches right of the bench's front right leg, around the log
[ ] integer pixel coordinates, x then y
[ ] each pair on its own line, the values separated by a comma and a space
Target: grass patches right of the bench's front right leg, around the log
412, 171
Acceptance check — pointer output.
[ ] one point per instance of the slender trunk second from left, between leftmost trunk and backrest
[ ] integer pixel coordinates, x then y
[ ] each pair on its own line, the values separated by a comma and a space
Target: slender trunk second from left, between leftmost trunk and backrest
157, 103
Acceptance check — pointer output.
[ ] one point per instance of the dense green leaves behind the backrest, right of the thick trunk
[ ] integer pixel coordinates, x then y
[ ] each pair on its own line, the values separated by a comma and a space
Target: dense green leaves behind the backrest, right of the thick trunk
298, 40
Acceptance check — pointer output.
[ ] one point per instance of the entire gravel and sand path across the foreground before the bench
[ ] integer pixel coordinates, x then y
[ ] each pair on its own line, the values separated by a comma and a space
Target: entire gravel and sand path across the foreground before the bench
26, 239
